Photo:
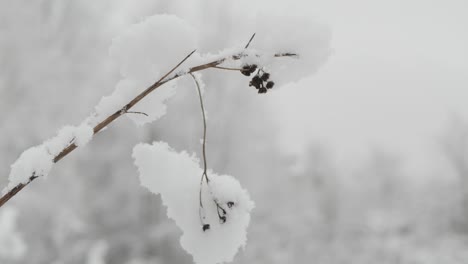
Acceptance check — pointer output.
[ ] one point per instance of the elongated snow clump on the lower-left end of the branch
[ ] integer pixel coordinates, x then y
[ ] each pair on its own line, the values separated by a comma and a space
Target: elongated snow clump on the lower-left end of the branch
37, 161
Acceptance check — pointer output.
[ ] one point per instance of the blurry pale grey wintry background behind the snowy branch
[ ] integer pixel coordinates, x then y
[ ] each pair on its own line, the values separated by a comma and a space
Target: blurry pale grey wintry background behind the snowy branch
364, 161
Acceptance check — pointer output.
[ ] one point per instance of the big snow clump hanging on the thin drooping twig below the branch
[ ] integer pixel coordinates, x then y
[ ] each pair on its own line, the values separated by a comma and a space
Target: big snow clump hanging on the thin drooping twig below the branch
176, 176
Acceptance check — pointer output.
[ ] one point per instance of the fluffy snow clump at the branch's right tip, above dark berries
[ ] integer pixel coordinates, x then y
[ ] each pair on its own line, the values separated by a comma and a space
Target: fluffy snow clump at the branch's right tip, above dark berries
291, 34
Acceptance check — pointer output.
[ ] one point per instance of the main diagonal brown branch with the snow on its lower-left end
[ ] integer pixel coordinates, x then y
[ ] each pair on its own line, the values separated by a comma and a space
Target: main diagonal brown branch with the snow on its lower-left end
30, 166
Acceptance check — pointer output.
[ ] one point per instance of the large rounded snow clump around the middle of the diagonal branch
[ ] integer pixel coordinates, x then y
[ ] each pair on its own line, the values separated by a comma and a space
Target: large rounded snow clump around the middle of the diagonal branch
144, 53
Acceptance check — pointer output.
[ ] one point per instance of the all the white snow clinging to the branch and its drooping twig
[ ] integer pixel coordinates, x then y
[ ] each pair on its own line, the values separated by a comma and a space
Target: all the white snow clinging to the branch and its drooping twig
144, 53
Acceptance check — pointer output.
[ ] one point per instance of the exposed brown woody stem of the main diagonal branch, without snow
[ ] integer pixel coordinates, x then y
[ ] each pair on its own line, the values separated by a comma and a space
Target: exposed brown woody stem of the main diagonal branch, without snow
166, 78
